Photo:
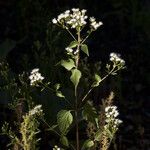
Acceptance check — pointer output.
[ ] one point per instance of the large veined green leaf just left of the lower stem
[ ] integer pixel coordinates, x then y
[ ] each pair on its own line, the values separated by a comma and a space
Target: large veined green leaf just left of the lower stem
64, 120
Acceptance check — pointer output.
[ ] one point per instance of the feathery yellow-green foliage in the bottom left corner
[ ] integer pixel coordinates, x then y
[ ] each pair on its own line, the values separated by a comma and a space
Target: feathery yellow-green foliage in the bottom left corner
28, 129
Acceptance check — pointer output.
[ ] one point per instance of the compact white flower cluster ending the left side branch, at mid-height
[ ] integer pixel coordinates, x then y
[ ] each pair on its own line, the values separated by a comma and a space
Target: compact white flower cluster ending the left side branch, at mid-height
35, 76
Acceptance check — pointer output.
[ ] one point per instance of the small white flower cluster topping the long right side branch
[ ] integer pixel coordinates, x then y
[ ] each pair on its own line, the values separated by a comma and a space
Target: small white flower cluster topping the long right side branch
114, 57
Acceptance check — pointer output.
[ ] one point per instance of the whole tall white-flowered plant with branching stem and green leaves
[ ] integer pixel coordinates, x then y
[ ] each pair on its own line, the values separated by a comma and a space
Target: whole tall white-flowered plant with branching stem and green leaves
76, 20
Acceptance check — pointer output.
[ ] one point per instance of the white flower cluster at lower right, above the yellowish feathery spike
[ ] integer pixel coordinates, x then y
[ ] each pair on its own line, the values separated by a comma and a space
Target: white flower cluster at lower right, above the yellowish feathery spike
111, 113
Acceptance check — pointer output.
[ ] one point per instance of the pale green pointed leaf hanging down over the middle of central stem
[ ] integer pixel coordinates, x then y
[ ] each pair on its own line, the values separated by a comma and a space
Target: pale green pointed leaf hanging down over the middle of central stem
75, 77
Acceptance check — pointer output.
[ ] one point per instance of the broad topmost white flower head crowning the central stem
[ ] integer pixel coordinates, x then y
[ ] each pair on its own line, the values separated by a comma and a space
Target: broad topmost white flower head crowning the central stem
75, 18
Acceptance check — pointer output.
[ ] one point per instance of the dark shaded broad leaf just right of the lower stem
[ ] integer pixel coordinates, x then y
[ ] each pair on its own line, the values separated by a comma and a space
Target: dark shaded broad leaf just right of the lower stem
89, 112
